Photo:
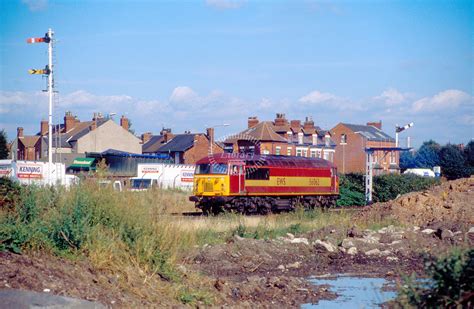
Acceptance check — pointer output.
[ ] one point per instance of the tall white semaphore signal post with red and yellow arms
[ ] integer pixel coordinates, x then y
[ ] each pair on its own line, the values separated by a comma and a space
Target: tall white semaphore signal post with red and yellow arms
48, 38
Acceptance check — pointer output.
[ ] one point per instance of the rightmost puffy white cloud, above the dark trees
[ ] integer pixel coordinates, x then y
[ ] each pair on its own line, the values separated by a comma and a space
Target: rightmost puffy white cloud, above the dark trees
448, 99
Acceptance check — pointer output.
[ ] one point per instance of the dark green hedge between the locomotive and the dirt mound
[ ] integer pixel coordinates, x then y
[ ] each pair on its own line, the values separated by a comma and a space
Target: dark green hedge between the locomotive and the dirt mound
385, 188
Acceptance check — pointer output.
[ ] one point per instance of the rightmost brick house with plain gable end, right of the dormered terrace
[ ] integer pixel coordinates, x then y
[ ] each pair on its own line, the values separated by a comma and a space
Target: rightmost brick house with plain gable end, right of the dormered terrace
352, 139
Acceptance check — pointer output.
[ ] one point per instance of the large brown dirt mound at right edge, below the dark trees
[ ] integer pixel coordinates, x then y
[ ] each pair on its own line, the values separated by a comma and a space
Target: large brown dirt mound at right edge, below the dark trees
450, 204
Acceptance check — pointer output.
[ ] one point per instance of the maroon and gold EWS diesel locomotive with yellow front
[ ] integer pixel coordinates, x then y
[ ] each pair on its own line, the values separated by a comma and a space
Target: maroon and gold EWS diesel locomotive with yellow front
261, 184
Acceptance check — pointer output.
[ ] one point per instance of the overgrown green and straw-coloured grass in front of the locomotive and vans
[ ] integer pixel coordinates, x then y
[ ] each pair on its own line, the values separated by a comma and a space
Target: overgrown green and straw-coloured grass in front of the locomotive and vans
133, 236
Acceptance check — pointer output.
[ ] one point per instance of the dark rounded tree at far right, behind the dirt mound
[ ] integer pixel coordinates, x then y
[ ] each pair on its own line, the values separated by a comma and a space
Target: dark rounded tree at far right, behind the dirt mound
452, 162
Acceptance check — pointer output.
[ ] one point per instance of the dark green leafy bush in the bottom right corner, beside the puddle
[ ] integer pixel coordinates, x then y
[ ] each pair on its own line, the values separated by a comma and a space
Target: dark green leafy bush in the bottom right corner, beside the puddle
450, 284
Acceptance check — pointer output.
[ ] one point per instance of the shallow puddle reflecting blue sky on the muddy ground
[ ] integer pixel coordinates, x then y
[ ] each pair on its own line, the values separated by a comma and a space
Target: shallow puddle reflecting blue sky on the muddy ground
353, 292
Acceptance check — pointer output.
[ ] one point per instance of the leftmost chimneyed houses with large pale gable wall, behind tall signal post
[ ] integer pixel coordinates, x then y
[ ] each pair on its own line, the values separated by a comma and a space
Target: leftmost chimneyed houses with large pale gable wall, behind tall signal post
74, 138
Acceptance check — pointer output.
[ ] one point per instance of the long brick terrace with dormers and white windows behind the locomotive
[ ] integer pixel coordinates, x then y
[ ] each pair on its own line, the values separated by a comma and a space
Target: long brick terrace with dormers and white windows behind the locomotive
283, 137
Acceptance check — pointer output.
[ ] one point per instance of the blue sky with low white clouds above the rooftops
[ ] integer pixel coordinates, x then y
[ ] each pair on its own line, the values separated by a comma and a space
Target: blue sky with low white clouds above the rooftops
188, 65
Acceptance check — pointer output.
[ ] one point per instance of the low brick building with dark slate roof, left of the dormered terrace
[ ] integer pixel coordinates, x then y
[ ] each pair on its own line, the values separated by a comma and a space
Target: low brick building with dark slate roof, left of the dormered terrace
184, 148
